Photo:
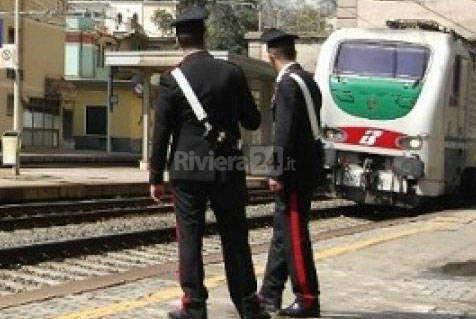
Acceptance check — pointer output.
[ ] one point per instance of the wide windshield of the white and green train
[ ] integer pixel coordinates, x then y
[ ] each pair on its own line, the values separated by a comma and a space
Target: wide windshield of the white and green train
393, 60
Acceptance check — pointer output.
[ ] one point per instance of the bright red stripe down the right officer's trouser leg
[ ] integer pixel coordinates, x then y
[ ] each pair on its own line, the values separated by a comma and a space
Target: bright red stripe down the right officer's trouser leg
297, 249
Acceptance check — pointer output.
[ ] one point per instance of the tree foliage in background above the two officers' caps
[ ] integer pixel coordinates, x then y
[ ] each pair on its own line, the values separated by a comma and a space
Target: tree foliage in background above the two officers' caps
230, 20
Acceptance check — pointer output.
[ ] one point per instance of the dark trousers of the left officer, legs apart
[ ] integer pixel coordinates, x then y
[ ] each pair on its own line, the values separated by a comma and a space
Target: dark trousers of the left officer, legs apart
227, 200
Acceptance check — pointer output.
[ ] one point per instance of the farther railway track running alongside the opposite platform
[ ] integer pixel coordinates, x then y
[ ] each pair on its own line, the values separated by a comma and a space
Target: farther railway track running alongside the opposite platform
49, 216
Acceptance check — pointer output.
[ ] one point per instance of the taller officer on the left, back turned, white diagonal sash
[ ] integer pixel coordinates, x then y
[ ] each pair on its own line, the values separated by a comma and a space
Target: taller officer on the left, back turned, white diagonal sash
204, 165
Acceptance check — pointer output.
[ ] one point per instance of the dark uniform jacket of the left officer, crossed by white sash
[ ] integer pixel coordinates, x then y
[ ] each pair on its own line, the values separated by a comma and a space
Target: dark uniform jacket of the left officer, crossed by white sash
222, 89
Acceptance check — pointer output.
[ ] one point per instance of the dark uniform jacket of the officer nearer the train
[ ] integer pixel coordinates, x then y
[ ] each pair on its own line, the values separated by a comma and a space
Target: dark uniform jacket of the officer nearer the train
293, 133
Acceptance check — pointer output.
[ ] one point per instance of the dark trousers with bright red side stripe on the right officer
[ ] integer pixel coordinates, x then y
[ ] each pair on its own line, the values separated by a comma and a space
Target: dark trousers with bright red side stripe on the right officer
290, 253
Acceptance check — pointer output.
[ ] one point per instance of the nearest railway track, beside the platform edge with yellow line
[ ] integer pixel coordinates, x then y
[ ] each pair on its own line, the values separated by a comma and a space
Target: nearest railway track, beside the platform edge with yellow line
43, 269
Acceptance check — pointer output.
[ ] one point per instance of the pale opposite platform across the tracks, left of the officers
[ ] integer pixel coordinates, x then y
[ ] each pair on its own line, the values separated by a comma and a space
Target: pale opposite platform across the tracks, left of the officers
67, 183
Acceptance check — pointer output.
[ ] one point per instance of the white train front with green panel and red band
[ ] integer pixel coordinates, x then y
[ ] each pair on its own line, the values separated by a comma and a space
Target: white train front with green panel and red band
380, 116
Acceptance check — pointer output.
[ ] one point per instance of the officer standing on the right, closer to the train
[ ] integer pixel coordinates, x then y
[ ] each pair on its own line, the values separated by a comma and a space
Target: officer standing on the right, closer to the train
296, 159
